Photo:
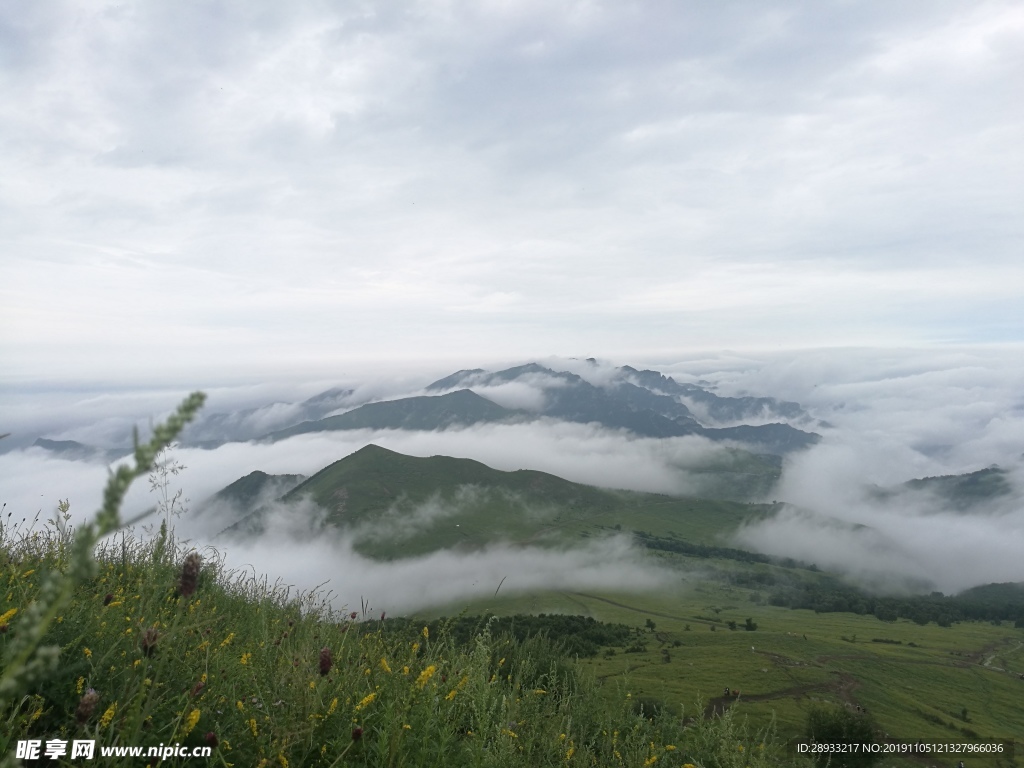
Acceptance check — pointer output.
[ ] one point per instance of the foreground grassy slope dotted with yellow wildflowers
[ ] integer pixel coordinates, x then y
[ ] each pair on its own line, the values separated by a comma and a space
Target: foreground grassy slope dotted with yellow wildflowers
241, 665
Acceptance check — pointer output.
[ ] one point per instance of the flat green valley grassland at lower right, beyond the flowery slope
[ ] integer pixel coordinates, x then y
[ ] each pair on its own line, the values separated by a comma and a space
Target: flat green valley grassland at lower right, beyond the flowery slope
915, 688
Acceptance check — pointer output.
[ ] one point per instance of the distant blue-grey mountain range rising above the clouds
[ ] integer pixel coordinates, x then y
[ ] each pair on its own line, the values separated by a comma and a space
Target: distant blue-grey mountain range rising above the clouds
645, 403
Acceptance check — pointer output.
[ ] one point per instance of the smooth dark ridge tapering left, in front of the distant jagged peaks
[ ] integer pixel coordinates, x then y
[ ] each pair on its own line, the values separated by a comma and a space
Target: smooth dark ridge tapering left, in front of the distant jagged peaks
462, 408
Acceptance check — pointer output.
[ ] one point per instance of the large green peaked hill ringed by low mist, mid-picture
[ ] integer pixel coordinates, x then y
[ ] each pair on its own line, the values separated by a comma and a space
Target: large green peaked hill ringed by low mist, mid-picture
395, 506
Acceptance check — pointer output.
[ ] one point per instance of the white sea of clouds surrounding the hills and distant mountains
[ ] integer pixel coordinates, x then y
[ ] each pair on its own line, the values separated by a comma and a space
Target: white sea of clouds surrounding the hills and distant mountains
891, 416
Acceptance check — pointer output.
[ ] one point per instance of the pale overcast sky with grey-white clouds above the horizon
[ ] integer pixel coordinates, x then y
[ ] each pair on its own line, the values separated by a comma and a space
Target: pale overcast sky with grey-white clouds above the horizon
240, 191
